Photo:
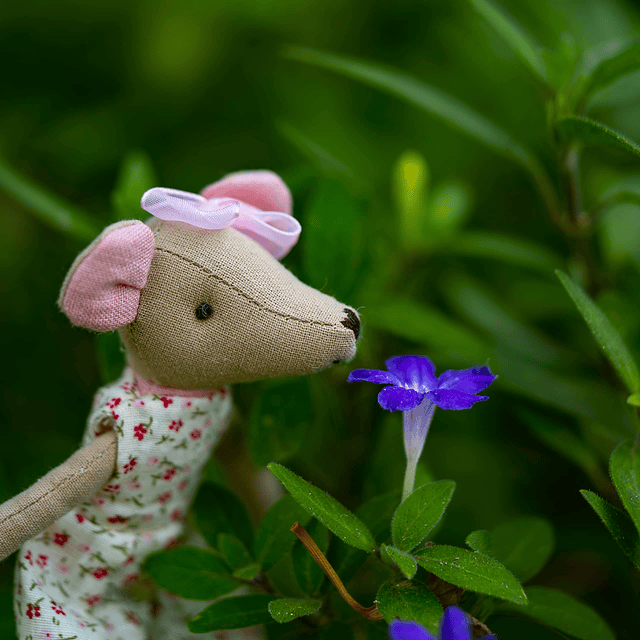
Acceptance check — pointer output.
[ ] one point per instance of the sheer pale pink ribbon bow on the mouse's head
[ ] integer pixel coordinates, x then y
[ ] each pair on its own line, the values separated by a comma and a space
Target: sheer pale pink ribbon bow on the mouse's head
276, 231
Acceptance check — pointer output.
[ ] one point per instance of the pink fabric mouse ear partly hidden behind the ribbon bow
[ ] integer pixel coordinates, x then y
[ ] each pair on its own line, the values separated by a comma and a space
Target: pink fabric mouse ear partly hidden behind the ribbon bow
261, 189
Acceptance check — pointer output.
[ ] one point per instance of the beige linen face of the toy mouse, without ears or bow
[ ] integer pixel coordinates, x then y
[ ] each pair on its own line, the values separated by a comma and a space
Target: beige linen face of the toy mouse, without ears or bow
265, 322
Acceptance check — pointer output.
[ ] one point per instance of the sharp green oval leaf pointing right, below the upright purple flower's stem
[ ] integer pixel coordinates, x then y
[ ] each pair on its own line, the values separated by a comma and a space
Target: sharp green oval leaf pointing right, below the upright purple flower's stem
471, 570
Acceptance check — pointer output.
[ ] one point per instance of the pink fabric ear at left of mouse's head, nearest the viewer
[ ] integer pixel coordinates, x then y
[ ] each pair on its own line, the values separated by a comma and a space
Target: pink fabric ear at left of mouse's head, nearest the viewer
102, 289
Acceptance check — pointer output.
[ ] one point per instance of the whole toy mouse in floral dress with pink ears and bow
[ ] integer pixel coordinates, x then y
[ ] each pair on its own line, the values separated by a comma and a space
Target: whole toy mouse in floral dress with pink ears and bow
201, 302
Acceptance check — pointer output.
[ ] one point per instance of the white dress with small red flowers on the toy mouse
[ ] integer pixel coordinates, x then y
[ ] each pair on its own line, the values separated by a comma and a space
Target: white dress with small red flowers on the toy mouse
76, 579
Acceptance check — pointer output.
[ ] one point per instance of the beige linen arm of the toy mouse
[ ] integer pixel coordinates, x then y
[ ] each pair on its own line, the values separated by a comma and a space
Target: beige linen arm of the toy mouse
63, 488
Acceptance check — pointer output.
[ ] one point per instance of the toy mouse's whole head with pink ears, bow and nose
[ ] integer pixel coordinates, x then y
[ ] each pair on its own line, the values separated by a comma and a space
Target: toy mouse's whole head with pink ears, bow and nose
198, 294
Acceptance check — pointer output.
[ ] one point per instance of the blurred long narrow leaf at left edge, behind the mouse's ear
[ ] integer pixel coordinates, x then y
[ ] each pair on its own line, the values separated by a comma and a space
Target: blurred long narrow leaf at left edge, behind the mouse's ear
48, 207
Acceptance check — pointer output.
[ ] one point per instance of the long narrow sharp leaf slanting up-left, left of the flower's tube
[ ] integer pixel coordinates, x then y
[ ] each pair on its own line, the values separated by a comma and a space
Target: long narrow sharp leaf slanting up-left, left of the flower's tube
329, 511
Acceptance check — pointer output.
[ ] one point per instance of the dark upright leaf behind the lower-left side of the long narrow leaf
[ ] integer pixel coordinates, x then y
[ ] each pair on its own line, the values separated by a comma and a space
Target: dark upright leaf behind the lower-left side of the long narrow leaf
273, 537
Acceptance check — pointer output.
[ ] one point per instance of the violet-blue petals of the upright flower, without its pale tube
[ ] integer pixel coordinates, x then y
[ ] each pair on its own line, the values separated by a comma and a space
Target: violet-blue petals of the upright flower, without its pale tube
412, 378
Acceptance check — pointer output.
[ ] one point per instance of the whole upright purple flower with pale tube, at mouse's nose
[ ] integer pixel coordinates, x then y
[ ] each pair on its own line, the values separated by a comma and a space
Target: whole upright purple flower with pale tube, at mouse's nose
412, 387
